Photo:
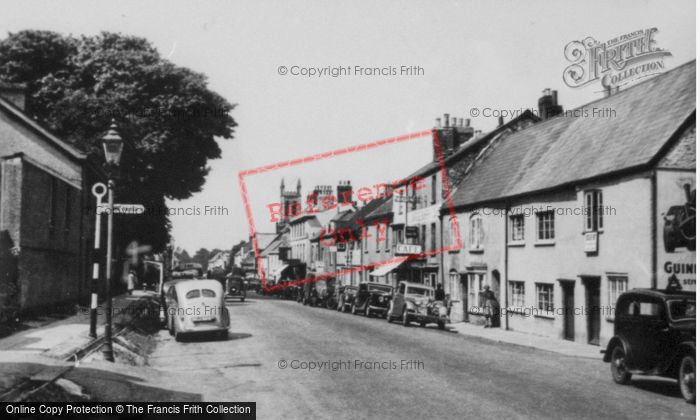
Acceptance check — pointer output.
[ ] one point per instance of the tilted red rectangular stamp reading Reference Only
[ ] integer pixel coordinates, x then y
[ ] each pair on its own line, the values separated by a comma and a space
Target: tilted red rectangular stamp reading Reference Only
380, 213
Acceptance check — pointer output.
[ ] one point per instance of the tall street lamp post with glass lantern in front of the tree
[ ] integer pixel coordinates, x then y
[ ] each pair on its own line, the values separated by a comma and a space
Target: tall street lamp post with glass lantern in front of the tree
113, 146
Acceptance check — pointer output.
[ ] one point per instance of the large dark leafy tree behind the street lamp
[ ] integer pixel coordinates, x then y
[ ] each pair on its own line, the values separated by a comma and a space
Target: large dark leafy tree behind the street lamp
166, 114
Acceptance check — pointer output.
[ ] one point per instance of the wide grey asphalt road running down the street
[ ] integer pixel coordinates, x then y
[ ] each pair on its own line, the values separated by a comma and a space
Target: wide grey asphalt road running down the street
453, 374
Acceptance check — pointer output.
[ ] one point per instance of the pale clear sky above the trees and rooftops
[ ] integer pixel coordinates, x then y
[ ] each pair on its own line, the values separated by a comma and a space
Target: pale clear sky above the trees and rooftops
473, 54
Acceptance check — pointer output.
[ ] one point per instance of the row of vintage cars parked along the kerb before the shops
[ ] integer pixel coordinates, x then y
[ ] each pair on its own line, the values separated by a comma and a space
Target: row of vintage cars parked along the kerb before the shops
409, 302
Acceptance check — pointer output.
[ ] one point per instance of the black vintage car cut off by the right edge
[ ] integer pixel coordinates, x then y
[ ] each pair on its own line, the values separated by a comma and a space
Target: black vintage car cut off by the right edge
654, 335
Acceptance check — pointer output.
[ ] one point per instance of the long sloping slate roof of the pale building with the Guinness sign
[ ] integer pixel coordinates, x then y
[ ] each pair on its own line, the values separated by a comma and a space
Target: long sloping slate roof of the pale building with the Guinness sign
566, 149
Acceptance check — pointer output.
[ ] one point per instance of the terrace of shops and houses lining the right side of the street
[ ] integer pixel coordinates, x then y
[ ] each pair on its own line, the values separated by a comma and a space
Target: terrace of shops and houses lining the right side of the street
557, 213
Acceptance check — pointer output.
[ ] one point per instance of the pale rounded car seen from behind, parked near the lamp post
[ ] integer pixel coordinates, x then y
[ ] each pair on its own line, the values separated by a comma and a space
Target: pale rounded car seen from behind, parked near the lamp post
196, 306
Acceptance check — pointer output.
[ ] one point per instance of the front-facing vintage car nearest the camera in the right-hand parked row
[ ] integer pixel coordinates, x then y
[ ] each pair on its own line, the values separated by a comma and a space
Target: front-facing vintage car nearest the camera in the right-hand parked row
416, 302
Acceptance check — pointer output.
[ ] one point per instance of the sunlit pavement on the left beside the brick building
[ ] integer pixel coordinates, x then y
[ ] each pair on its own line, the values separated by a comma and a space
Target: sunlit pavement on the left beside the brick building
39, 352
